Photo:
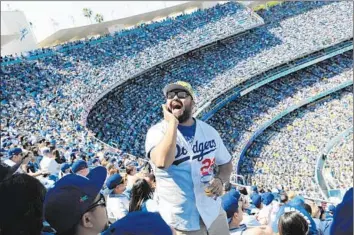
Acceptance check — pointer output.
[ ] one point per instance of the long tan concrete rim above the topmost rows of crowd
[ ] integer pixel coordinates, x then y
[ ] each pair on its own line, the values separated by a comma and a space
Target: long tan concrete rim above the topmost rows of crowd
87, 31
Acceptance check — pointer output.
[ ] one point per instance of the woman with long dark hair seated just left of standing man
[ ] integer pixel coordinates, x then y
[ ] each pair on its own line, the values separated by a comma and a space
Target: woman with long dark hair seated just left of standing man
141, 197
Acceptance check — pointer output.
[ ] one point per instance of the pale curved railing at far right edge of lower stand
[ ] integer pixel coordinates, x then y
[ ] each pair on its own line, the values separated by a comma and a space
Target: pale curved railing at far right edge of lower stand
321, 160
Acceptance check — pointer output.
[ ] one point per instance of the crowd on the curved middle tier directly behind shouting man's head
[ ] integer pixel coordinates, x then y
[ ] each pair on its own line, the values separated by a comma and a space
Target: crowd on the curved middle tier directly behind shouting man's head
116, 119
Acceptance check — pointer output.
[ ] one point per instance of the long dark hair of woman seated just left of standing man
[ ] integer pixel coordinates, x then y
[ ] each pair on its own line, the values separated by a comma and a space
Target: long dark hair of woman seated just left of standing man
141, 191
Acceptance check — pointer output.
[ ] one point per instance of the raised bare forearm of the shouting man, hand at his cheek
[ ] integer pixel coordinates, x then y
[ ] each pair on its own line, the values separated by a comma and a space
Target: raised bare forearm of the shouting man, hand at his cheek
164, 153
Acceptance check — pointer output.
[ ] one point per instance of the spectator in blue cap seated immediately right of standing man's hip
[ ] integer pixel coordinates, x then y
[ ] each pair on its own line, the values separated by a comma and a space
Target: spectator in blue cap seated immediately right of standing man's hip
232, 205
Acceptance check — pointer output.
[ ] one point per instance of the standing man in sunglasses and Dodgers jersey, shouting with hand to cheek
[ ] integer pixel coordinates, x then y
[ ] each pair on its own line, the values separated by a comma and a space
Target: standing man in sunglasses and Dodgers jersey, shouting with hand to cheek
191, 164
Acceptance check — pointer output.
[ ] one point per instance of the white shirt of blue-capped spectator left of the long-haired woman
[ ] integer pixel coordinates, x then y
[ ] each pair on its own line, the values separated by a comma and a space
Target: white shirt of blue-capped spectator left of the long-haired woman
117, 206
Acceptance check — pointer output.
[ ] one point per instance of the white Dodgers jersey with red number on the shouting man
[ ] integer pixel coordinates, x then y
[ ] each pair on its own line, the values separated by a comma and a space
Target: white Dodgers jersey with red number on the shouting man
181, 195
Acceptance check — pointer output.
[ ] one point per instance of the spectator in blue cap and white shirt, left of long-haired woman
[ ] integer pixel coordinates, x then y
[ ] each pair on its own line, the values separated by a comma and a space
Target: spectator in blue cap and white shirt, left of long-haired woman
117, 201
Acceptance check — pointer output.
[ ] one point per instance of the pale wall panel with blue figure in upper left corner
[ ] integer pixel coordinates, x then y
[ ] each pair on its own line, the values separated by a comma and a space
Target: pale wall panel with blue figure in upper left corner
15, 28
